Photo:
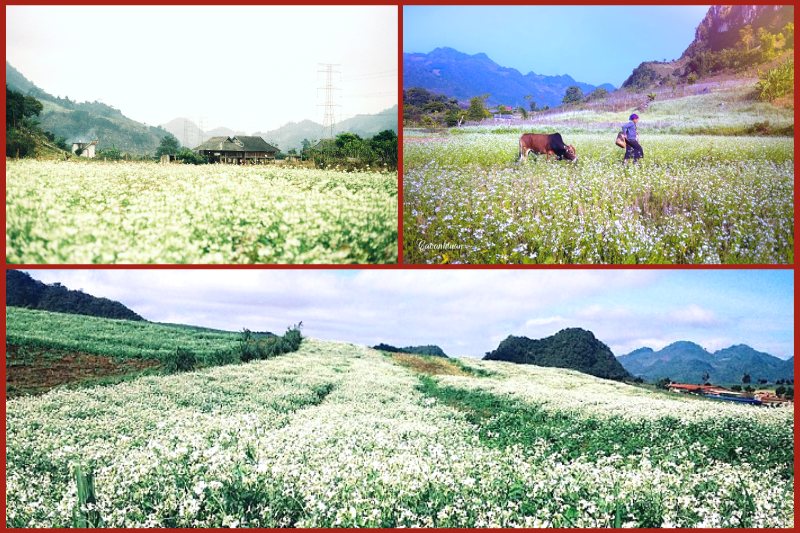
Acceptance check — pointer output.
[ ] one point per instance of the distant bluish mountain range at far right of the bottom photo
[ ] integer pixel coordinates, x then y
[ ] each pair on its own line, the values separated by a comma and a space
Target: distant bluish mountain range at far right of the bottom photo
688, 362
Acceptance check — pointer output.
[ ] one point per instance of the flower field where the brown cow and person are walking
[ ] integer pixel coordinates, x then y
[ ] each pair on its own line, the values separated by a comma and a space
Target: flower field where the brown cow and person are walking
693, 199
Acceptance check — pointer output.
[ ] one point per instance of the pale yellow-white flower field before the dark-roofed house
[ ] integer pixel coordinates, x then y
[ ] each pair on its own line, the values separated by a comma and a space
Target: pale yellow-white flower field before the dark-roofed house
81, 212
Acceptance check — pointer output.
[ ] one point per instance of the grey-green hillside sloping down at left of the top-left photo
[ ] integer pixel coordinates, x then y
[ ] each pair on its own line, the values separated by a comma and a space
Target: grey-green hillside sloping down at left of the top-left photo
86, 121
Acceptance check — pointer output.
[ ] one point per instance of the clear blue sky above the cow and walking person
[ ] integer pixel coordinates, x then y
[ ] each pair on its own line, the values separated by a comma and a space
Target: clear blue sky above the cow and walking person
593, 44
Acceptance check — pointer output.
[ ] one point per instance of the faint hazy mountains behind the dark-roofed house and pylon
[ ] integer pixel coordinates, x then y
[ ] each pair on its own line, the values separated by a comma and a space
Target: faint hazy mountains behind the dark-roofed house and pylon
291, 134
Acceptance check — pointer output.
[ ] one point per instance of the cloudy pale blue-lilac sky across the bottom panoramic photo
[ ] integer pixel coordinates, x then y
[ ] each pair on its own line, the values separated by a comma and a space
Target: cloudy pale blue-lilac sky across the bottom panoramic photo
466, 312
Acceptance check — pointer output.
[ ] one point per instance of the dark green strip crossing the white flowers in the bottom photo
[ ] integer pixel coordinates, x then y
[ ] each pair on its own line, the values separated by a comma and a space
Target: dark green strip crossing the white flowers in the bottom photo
504, 422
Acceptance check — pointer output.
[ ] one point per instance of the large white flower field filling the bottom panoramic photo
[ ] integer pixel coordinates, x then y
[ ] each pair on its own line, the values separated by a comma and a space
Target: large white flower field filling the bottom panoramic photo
341, 435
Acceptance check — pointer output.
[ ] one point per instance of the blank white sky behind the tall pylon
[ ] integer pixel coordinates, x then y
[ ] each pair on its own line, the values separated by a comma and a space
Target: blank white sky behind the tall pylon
250, 68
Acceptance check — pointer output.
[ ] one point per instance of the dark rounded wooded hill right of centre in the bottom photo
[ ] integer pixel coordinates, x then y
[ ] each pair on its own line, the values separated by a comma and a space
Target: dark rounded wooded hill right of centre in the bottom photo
573, 348
